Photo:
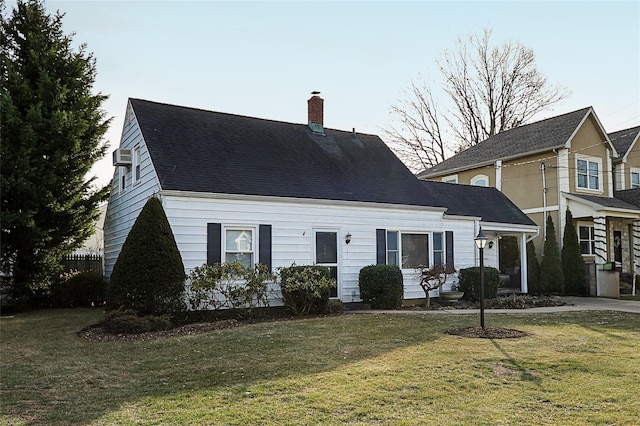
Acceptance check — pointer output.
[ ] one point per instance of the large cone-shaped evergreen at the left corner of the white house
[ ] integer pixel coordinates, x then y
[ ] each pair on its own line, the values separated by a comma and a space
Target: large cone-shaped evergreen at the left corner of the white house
148, 276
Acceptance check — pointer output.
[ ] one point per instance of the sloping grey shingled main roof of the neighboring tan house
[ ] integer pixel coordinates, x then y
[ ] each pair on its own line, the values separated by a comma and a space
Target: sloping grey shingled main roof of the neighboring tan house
543, 135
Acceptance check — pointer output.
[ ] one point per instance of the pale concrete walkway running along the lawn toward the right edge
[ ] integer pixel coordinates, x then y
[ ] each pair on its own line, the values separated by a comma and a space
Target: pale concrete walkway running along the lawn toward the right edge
574, 304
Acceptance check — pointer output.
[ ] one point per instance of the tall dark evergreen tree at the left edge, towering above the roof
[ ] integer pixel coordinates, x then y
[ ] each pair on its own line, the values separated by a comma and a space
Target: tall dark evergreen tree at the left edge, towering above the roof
52, 129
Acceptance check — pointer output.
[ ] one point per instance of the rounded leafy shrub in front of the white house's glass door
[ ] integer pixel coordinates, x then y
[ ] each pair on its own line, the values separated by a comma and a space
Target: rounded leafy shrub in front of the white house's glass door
306, 289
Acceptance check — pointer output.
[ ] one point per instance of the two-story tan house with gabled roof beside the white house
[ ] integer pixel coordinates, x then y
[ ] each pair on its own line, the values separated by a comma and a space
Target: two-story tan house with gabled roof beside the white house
558, 163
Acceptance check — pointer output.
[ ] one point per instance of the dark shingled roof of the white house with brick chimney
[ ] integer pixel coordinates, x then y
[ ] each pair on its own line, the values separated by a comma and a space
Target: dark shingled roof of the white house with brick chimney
204, 151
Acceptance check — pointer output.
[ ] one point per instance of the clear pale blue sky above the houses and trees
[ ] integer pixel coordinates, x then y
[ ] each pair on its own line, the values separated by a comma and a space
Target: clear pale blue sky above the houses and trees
262, 59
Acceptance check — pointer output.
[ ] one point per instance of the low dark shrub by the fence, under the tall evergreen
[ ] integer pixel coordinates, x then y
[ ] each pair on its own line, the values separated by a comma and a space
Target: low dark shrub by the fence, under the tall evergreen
79, 289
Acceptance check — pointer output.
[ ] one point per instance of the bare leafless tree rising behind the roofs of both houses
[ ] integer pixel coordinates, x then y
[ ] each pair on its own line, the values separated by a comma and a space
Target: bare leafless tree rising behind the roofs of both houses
487, 89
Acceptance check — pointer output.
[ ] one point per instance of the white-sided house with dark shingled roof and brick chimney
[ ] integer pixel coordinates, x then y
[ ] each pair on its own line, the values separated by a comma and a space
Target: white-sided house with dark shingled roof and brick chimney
277, 193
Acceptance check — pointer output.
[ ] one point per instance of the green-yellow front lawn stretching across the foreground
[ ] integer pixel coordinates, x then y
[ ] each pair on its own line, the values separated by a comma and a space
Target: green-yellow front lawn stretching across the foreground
575, 368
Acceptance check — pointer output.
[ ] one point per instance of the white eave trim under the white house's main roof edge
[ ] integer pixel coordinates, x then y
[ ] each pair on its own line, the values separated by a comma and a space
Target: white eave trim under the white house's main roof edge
263, 198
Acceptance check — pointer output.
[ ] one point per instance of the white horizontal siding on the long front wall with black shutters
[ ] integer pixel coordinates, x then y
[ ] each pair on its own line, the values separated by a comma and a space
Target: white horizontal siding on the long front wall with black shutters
293, 222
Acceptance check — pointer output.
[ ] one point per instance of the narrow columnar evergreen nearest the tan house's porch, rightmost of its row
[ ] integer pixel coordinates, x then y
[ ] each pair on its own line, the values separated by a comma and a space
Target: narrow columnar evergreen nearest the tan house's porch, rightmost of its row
572, 261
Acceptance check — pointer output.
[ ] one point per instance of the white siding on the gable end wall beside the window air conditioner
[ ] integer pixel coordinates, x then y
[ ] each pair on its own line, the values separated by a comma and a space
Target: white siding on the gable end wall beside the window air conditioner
124, 206
